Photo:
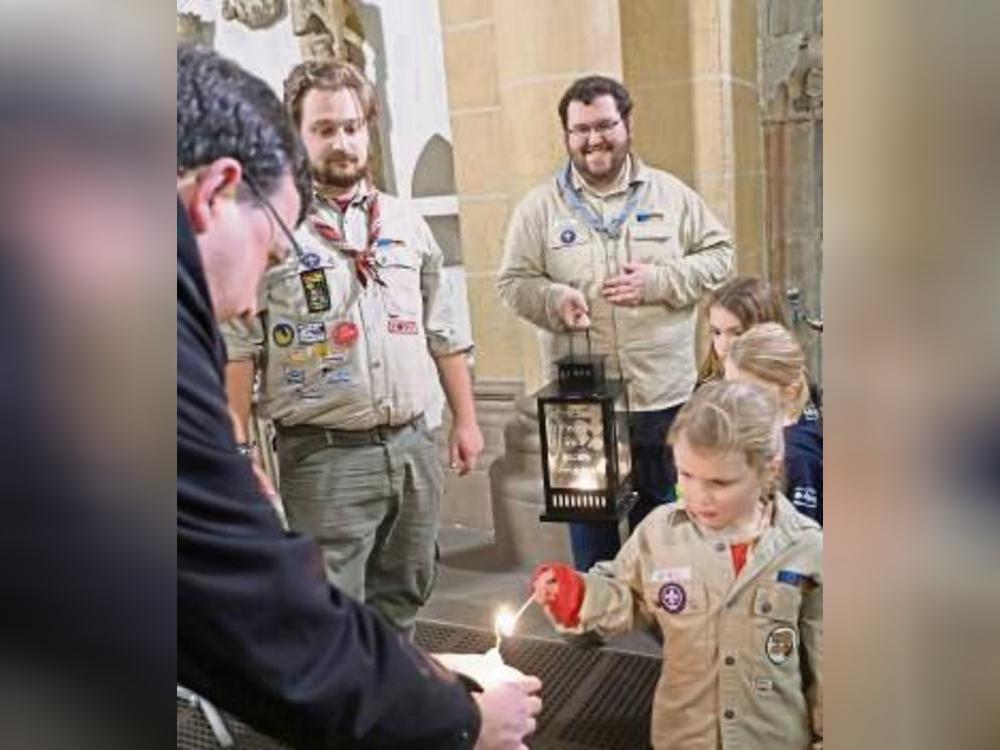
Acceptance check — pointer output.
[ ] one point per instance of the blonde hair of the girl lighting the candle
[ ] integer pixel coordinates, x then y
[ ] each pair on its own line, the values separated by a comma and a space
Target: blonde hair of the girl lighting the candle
731, 416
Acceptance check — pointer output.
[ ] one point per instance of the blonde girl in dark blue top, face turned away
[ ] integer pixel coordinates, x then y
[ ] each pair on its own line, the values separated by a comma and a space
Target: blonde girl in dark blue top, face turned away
770, 355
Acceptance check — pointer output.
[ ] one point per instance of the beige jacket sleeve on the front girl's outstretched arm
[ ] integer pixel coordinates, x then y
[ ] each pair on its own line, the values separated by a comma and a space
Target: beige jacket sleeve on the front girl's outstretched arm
613, 597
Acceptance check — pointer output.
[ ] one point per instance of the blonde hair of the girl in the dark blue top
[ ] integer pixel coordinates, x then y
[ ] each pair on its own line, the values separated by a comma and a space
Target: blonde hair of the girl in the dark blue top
771, 352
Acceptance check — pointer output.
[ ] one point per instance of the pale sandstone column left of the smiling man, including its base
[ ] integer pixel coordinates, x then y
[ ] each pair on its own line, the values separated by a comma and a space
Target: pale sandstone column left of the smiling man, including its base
508, 62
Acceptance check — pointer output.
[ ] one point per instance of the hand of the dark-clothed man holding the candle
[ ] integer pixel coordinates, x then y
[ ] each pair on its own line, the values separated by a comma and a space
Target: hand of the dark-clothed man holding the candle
508, 714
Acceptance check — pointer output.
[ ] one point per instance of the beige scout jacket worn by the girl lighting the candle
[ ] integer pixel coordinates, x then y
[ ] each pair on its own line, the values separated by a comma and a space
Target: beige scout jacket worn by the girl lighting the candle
742, 656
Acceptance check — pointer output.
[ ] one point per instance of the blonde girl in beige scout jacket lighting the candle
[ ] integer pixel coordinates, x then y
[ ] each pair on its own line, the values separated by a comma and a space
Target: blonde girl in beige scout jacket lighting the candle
733, 578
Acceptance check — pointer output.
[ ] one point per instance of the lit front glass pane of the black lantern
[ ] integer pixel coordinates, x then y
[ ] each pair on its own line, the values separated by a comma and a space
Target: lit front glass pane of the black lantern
575, 443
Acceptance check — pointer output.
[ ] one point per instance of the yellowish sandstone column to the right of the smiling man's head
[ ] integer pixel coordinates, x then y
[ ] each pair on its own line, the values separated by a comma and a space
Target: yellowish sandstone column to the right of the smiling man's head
691, 66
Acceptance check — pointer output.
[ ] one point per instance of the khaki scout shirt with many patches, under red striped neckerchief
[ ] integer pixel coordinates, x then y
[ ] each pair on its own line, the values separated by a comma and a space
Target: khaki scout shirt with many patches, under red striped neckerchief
363, 363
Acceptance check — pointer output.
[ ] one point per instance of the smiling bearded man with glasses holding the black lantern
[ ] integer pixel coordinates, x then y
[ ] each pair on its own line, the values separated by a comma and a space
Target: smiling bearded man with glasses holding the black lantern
612, 245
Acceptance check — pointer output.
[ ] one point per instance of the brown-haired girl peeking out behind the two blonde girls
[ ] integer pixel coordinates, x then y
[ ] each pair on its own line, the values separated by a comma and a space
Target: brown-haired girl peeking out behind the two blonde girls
732, 309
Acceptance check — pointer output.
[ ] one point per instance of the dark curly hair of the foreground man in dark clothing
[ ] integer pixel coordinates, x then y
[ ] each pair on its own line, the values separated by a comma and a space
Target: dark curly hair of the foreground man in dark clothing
222, 110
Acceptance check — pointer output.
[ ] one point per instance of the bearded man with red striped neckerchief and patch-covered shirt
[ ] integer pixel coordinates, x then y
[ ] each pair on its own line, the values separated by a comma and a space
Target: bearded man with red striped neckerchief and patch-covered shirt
342, 344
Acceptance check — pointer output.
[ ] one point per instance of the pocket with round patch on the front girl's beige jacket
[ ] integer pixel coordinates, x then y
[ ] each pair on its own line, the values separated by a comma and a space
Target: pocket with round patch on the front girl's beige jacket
775, 632
